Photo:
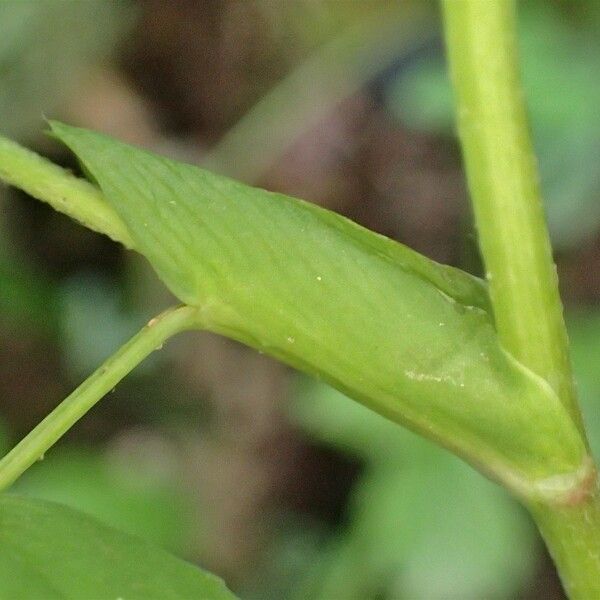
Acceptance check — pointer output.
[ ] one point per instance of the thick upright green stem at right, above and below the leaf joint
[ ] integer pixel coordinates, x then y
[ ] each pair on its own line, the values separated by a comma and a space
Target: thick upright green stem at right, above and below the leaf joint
514, 241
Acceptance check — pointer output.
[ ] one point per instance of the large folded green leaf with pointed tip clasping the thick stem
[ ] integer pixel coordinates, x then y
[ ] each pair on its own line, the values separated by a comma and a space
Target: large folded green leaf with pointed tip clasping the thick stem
407, 337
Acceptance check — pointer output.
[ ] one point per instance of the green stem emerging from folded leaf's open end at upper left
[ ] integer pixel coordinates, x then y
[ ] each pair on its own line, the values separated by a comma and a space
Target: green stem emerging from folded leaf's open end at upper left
66, 193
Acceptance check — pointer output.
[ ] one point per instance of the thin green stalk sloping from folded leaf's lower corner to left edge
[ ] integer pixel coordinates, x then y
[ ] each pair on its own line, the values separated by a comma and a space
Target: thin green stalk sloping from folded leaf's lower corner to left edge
102, 381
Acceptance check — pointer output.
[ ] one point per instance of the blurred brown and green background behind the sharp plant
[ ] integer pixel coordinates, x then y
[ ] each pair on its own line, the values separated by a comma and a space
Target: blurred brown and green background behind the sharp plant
218, 454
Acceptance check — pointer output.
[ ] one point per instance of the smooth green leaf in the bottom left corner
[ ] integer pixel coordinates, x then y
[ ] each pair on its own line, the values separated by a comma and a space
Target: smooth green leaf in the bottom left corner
50, 551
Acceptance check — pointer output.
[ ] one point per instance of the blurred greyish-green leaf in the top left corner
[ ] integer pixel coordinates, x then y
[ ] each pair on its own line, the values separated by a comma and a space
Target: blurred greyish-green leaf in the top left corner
46, 48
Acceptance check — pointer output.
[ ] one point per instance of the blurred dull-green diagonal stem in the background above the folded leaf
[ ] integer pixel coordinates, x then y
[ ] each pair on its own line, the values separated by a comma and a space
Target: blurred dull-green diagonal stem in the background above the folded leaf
335, 69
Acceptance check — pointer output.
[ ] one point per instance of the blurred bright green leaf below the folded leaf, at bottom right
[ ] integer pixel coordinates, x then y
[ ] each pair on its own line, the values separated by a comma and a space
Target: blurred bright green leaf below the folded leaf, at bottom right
421, 523
